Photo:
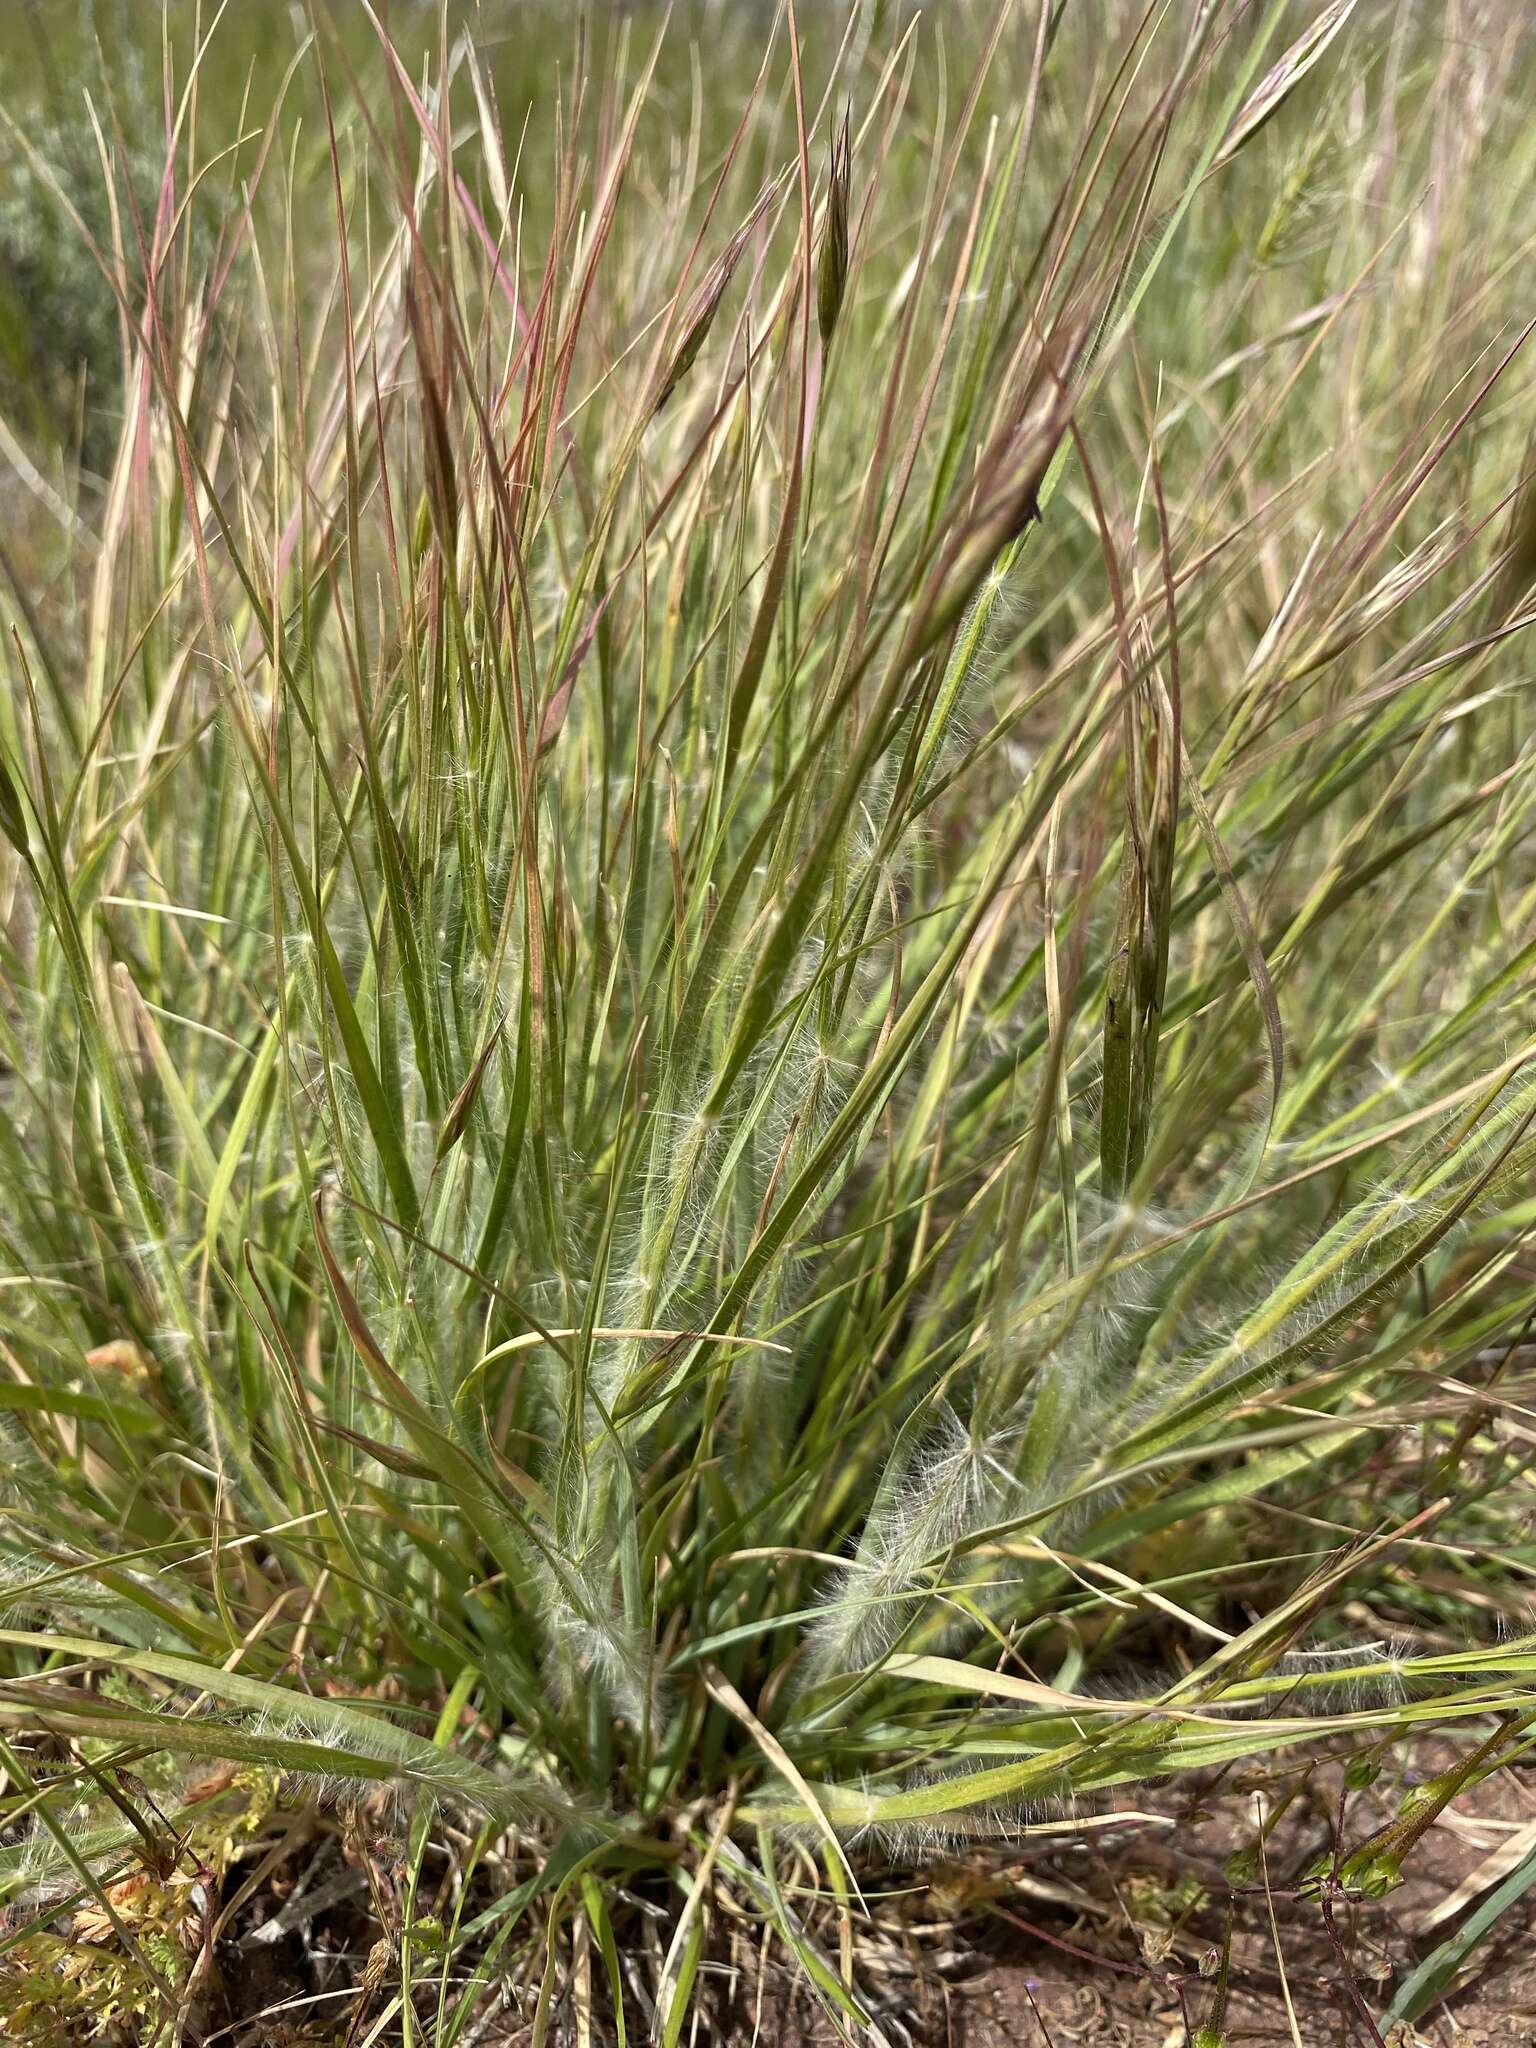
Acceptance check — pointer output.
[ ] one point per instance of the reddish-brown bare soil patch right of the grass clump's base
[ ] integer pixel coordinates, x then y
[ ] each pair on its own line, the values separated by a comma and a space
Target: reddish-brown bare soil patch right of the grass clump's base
1105, 1947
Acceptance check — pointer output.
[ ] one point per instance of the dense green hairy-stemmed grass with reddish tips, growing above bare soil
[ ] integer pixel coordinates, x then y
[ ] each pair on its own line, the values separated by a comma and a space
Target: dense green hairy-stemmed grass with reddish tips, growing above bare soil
767, 892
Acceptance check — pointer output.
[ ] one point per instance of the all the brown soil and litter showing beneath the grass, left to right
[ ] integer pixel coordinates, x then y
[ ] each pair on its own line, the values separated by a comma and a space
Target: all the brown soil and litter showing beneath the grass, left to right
1109, 1940
